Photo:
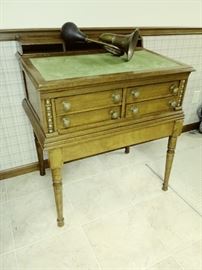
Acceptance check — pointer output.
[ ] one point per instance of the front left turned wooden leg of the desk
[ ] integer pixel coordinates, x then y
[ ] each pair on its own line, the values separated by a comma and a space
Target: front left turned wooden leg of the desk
55, 159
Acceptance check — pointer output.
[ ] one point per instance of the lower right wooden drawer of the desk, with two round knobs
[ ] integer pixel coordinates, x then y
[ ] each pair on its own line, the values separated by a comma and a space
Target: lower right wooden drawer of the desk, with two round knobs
149, 107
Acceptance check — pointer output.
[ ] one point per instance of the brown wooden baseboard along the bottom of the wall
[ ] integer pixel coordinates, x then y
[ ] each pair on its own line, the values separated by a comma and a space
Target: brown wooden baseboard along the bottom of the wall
34, 166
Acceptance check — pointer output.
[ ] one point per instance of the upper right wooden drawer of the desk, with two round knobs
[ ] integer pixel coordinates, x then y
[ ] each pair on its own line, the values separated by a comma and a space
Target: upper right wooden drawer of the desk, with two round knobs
152, 91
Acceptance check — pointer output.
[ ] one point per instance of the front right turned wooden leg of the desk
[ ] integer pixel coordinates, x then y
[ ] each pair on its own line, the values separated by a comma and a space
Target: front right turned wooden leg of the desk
169, 160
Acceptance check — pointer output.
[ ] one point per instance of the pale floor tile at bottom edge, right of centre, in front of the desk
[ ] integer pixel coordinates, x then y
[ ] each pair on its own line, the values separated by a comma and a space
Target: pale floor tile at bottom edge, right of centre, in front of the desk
125, 240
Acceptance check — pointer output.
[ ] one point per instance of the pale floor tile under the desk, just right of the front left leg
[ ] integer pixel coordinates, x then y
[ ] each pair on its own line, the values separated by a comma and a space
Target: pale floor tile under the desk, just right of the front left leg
96, 196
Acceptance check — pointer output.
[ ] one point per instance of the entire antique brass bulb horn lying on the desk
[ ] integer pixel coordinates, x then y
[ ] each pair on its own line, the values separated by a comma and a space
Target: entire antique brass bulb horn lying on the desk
115, 44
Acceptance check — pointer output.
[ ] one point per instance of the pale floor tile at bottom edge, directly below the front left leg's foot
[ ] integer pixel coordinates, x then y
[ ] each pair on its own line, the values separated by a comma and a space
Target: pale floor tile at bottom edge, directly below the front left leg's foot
67, 251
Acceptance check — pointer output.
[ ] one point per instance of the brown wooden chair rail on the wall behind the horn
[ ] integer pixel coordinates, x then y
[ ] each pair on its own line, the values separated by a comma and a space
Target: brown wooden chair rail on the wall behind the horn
14, 34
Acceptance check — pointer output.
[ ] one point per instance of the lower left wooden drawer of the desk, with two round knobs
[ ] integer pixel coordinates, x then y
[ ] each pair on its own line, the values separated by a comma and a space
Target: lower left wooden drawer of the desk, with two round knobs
89, 117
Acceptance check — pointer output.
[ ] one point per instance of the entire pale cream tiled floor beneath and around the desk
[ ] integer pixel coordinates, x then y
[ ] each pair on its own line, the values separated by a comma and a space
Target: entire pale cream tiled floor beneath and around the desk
116, 215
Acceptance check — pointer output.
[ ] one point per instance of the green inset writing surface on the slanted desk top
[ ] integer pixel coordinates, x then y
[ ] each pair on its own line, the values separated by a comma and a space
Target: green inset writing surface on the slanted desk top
66, 67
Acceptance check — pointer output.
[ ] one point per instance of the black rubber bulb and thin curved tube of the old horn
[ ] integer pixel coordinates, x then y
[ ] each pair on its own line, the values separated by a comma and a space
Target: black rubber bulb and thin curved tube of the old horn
71, 34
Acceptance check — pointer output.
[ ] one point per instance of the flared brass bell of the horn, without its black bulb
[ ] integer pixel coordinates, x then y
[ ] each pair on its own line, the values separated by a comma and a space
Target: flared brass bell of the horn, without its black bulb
126, 43
